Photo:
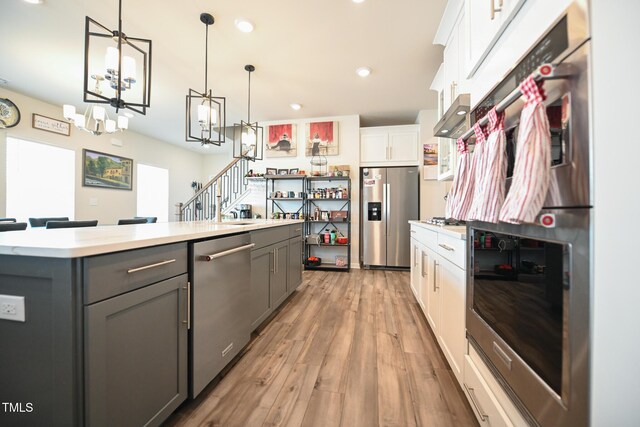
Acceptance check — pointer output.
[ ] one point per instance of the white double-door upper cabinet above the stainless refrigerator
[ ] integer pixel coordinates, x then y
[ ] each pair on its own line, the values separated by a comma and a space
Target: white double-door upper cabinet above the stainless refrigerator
390, 145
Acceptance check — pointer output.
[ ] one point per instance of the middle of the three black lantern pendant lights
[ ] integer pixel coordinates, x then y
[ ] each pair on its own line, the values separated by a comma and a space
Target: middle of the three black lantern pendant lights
206, 114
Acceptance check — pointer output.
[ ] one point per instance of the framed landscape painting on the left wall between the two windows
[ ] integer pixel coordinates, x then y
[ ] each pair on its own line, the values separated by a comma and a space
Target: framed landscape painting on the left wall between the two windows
106, 170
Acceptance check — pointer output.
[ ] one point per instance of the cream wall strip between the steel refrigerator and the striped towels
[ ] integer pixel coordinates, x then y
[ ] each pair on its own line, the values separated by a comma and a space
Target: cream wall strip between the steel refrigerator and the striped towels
432, 192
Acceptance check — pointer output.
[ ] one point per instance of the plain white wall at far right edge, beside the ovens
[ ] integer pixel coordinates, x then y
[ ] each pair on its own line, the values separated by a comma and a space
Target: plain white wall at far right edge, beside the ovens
615, 352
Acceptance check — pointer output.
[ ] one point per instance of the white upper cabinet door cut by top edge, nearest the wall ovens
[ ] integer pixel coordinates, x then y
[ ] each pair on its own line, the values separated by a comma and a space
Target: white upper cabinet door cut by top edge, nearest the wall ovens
487, 20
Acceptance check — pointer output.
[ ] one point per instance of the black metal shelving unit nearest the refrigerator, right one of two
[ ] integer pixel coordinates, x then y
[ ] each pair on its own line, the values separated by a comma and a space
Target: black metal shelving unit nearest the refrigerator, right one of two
328, 204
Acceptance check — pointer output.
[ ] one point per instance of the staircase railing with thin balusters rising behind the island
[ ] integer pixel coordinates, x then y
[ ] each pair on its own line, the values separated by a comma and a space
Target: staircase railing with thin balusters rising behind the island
218, 194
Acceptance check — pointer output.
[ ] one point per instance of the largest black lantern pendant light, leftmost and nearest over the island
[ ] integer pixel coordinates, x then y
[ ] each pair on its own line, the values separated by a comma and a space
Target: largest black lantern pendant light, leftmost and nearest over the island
119, 65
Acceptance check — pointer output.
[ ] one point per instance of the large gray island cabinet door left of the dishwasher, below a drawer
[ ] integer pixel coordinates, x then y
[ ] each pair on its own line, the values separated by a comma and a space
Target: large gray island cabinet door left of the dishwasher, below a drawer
136, 355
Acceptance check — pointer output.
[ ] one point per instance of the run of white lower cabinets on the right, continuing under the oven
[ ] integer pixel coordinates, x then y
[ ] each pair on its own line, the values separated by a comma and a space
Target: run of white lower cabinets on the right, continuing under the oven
438, 281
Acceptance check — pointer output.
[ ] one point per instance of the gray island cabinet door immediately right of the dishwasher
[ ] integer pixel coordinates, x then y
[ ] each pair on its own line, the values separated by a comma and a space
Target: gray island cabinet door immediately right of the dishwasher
261, 268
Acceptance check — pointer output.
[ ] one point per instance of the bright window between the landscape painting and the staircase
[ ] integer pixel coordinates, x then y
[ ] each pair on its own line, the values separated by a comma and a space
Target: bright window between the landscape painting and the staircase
153, 192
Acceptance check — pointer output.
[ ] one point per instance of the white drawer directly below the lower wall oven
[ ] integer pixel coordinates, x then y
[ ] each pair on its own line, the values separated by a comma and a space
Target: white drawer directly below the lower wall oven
484, 403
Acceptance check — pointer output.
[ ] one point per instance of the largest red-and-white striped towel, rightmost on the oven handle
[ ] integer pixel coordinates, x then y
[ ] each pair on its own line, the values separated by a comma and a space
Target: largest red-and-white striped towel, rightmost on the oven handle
532, 167
